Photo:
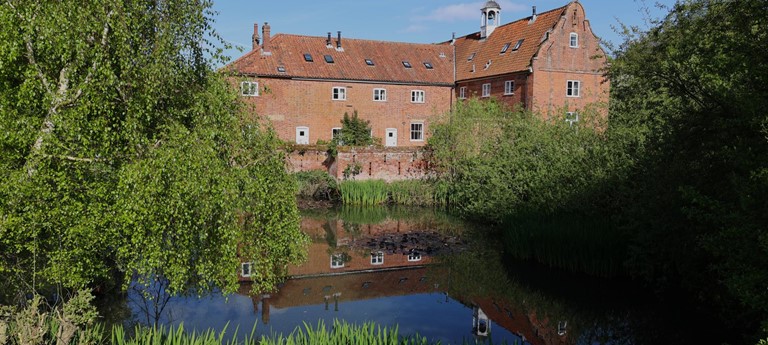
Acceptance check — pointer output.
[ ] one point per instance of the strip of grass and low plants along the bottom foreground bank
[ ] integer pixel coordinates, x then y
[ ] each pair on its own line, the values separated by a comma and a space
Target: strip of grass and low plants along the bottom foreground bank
75, 323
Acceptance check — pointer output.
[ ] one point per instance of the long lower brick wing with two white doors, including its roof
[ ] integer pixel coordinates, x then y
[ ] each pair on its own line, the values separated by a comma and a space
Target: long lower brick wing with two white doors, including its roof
304, 85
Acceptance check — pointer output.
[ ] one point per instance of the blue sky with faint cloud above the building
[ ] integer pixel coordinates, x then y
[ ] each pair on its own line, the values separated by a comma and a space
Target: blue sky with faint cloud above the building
418, 21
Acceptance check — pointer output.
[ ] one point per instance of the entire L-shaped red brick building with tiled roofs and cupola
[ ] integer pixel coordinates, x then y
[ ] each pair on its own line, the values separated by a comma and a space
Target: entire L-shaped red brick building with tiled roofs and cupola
549, 62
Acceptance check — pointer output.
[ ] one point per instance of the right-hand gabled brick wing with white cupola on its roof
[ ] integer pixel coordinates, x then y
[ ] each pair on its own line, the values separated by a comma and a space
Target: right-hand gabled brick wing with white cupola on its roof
550, 62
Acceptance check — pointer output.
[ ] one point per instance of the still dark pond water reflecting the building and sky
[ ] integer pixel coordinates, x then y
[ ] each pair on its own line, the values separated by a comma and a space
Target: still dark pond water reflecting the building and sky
428, 273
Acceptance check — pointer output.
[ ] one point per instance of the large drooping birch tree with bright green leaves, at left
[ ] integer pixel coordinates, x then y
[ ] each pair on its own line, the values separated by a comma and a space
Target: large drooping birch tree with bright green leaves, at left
124, 153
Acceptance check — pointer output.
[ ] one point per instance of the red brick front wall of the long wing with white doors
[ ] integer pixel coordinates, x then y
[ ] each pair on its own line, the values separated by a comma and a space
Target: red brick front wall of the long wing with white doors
292, 103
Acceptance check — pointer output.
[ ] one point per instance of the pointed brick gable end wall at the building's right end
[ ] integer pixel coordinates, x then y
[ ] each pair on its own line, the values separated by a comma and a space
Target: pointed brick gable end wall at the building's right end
558, 62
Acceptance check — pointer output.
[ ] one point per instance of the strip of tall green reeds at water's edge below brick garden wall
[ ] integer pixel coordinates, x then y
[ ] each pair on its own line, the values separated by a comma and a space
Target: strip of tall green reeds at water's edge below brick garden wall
377, 192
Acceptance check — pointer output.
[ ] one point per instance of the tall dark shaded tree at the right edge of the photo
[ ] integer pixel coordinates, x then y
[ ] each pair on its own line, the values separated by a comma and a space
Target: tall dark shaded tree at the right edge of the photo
693, 91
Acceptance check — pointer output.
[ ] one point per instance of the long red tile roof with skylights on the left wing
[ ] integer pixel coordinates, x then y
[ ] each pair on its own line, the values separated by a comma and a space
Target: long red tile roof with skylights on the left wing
287, 51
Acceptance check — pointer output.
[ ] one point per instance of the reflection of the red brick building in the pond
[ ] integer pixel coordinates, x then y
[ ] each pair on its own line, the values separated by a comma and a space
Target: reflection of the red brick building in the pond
349, 263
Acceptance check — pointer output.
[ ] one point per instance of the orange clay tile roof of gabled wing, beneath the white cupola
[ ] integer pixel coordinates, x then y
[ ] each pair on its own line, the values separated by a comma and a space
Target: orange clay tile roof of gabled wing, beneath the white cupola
531, 32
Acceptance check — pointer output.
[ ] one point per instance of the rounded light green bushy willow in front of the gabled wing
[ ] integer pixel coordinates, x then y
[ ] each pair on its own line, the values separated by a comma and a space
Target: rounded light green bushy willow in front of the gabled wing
496, 162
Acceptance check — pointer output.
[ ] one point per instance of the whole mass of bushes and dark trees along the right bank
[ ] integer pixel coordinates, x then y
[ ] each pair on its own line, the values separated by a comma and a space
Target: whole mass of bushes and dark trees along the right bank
681, 167
